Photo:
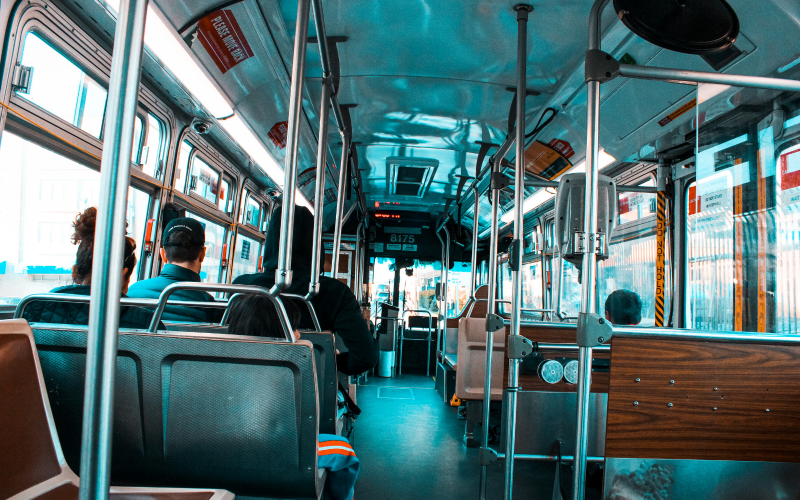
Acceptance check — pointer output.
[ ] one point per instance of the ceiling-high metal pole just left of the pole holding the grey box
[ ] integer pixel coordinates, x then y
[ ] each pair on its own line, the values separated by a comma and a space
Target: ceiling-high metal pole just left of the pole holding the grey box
522, 11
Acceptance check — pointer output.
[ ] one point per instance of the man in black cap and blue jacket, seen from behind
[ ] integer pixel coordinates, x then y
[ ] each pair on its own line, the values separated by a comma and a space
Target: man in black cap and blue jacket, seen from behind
183, 249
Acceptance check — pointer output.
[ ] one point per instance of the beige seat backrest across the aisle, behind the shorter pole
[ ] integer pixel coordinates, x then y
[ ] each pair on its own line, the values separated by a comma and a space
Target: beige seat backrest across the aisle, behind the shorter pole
472, 360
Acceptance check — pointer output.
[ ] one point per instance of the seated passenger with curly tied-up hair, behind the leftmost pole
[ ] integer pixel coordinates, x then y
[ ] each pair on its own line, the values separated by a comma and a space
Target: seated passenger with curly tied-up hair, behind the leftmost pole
77, 313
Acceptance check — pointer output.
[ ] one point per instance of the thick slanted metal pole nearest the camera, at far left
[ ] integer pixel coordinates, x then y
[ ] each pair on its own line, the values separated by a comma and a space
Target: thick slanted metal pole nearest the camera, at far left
109, 251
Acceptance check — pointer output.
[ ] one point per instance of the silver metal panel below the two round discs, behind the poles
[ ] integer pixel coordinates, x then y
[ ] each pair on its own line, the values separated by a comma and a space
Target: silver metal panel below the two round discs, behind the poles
544, 417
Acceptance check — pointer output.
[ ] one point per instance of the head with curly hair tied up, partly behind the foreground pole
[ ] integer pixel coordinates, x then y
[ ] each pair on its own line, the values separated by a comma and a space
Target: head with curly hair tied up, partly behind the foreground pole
83, 236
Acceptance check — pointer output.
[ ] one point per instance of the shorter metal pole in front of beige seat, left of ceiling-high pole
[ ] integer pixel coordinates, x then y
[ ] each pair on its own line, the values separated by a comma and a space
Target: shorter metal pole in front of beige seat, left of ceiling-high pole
490, 309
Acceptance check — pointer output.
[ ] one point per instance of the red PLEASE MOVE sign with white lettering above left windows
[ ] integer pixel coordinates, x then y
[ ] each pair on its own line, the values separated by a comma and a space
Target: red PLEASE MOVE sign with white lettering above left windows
223, 39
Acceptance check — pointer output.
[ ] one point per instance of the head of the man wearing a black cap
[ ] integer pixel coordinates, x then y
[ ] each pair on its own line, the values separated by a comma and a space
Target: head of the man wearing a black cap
184, 243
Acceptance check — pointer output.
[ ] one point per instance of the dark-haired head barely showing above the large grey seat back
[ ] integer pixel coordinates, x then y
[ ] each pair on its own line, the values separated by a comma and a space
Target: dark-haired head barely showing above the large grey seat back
256, 315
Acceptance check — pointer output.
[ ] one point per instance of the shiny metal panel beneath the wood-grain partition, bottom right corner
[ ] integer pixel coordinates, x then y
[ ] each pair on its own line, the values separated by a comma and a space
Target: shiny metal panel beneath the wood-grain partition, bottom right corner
640, 478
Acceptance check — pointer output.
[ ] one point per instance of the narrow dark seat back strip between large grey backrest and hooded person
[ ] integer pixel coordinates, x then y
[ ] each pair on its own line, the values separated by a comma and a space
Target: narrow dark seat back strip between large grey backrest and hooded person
327, 380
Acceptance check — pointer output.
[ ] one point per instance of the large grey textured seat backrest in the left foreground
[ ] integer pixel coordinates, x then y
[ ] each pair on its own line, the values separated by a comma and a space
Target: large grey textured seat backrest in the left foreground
199, 410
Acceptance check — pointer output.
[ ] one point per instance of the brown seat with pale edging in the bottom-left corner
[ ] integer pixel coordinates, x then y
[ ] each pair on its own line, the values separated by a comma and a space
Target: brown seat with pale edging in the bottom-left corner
32, 464
